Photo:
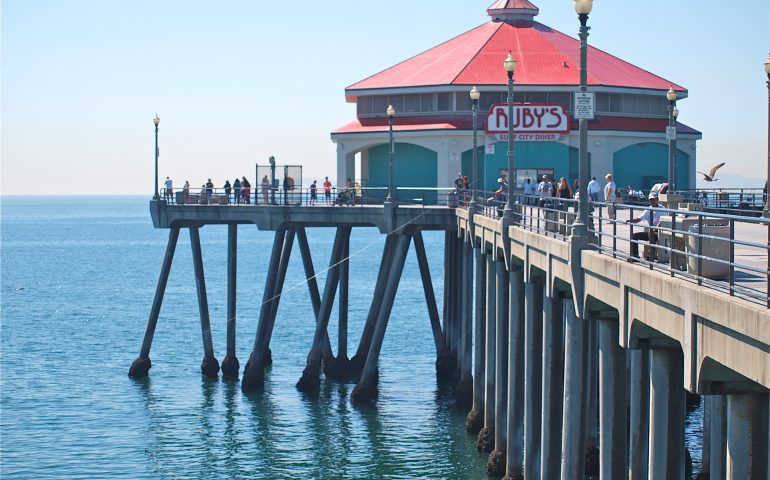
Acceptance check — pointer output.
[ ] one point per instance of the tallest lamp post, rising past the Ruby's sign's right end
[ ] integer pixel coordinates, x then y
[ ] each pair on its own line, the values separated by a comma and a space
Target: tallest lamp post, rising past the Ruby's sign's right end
580, 227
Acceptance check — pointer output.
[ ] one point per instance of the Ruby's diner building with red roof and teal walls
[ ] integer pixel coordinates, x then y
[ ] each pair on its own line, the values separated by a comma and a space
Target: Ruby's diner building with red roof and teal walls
433, 121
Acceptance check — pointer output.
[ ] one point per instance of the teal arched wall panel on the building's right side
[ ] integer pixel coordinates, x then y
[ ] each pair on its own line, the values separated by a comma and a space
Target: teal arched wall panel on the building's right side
644, 164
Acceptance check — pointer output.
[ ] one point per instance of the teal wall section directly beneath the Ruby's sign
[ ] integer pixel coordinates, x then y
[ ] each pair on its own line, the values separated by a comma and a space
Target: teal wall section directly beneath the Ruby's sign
562, 158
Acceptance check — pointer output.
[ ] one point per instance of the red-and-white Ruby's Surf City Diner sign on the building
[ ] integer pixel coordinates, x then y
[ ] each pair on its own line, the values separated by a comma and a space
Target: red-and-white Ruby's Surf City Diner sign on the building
531, 121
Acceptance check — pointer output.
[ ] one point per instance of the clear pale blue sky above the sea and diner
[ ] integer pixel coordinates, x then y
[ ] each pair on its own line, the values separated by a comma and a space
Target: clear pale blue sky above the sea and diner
236, 81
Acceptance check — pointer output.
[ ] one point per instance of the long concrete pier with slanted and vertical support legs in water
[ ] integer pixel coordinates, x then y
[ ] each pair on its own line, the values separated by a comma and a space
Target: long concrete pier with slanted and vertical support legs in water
561, 355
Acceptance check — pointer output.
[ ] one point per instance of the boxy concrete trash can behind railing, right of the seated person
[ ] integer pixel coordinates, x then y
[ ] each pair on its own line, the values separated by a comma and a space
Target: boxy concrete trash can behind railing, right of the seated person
711, 248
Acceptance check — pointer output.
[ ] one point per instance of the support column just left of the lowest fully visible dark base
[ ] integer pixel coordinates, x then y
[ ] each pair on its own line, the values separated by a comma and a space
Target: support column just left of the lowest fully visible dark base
486, 438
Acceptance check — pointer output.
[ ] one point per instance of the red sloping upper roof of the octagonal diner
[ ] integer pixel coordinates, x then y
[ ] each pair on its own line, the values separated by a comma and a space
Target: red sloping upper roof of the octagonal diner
544, 56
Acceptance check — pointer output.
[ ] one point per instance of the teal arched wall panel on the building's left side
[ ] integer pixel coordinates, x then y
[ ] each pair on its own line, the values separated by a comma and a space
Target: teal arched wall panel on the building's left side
413, 166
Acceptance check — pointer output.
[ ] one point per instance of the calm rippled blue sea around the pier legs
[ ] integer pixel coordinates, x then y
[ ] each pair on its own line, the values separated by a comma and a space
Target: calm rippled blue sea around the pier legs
78, 278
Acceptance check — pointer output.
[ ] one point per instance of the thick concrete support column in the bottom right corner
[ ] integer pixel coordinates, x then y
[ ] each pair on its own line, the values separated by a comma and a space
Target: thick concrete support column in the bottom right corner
747, 415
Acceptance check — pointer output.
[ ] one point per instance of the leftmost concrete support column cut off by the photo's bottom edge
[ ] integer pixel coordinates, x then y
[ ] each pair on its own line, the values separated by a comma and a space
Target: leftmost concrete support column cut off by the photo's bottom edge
514, 460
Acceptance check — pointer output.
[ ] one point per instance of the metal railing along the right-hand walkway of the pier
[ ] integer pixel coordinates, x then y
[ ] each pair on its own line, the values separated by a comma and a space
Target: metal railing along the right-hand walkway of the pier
721, 251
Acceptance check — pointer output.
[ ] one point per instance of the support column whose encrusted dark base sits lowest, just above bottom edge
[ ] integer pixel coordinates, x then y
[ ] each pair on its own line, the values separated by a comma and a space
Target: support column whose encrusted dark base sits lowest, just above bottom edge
496, 463
